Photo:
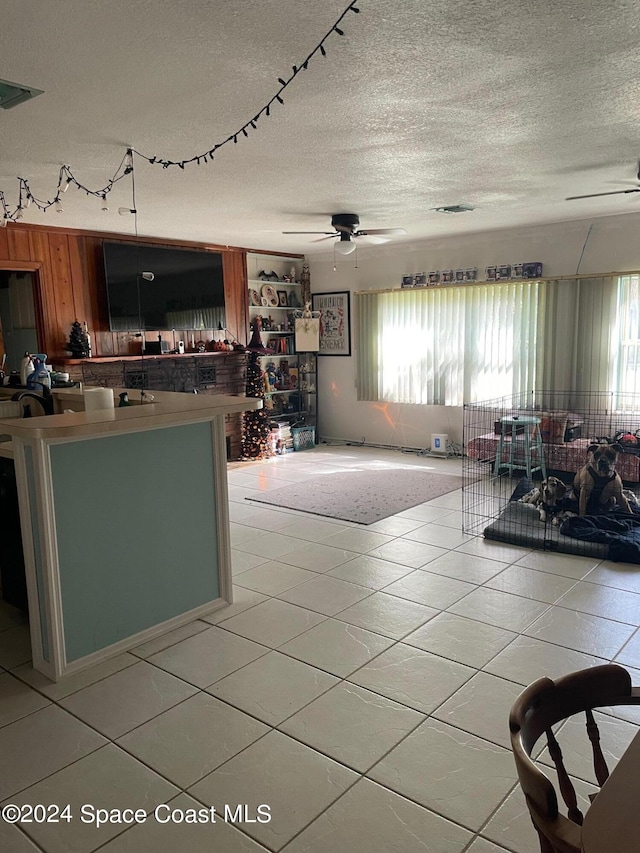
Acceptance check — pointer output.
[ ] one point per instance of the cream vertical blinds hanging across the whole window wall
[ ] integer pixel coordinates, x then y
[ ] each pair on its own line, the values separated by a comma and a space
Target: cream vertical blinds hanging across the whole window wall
449, 345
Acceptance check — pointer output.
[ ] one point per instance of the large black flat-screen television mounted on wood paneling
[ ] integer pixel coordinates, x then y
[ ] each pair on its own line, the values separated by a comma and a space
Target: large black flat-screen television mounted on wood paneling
186, 293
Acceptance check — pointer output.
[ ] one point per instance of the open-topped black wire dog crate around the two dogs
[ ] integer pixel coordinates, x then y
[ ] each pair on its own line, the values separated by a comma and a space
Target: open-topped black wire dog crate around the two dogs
569, 422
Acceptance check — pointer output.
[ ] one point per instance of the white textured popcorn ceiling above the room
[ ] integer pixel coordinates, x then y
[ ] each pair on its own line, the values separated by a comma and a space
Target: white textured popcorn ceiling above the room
508, 107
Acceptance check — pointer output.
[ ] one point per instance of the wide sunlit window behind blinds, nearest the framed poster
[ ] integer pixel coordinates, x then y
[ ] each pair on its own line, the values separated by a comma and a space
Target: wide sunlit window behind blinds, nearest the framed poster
447, 345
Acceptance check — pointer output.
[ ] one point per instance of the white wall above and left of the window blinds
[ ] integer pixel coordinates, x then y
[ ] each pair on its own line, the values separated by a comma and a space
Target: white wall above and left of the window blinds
613, 245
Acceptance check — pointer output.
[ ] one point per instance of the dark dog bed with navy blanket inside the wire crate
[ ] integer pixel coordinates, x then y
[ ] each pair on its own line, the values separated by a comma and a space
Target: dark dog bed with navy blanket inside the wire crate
614, 536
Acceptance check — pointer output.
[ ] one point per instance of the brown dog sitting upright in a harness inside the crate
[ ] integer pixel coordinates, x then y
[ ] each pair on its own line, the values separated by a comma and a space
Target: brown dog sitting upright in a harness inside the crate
598, 486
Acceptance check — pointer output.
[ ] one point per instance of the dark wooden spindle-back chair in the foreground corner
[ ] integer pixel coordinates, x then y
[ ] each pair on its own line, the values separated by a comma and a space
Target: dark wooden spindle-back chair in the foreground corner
538, 708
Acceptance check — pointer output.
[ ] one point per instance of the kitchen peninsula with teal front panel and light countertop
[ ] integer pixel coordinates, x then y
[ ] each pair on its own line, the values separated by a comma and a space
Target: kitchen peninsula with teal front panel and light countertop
124, 522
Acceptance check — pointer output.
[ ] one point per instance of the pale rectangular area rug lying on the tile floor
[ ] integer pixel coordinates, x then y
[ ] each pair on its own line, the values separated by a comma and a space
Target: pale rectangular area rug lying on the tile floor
362, 496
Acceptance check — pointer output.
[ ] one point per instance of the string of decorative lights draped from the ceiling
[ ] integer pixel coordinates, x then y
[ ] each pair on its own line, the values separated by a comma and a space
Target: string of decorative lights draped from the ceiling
66, 176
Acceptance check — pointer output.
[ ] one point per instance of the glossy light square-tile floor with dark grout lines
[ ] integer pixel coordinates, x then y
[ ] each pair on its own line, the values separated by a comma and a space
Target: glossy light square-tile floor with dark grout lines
358, 686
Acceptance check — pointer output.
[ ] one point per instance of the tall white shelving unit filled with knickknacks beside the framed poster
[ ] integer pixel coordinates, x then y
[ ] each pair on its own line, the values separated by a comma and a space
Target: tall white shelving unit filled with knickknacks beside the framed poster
292, 376
